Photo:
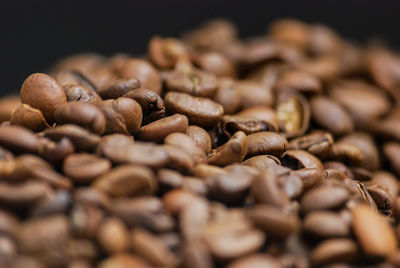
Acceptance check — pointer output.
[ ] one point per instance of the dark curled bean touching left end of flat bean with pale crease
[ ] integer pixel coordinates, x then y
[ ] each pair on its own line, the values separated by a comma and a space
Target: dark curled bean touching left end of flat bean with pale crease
152, 104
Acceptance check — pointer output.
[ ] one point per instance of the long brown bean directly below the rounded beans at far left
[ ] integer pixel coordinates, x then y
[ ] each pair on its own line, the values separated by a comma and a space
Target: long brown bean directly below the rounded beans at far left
80, 137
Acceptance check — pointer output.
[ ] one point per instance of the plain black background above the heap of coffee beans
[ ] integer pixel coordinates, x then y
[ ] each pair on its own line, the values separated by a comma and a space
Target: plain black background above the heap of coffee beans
34, 34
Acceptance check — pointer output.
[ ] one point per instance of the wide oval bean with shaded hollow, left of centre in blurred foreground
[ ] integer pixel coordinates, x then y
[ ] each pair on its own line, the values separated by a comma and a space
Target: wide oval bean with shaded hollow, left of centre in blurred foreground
127, 181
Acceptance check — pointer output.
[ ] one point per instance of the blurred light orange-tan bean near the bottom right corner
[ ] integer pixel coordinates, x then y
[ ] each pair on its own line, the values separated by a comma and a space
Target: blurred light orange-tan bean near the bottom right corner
373, 232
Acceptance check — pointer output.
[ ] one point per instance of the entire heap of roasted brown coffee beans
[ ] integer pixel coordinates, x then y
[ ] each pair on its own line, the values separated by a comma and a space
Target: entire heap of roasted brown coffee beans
209, 151
